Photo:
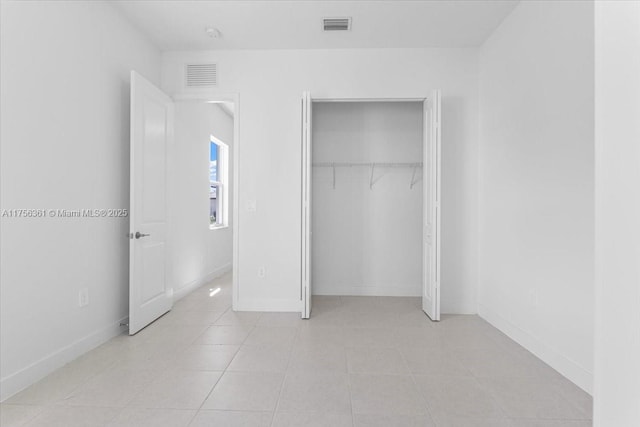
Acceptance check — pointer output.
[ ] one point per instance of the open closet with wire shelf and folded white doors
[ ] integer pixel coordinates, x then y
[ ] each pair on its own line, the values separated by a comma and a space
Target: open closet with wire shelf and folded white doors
371, 199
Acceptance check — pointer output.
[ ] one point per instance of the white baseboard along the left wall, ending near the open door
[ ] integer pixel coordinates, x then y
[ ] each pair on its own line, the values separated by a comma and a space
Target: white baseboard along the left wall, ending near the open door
33, 373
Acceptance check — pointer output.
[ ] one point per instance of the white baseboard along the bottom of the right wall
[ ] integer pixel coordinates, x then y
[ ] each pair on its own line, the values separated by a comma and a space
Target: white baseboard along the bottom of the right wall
565, 366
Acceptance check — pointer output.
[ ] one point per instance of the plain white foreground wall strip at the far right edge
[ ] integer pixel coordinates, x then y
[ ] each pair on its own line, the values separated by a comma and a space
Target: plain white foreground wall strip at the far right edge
617, 362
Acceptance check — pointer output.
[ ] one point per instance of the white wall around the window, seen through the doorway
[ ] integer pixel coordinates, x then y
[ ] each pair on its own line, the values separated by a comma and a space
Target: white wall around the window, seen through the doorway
198, 253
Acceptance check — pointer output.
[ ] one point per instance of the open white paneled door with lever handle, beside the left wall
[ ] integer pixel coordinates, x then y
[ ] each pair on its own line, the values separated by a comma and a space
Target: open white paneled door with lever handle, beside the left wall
152, 115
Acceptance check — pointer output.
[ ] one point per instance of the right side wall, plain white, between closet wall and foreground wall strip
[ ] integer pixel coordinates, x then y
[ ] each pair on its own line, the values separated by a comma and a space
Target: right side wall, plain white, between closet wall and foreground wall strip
536, 247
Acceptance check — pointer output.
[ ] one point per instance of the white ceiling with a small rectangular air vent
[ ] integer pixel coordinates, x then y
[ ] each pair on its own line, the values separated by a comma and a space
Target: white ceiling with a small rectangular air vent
297, 24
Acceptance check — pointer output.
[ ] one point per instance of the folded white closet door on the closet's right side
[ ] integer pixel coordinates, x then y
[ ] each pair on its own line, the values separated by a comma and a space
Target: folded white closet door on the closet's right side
431, 208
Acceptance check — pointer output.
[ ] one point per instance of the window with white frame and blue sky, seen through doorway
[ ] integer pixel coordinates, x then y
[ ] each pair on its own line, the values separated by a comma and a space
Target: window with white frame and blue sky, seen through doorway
218, 178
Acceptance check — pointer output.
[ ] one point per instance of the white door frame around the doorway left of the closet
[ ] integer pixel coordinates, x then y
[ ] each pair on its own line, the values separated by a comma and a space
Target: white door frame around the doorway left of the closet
207, 97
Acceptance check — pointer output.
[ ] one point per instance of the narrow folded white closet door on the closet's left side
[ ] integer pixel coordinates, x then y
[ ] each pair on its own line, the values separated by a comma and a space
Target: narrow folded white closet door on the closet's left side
306, 205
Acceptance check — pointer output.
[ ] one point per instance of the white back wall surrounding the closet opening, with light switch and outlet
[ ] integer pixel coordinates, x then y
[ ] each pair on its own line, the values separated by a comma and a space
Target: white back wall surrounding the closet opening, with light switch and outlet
270, 84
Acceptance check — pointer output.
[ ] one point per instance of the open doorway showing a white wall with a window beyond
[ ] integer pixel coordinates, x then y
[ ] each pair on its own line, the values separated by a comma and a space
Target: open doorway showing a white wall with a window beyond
202, 192
